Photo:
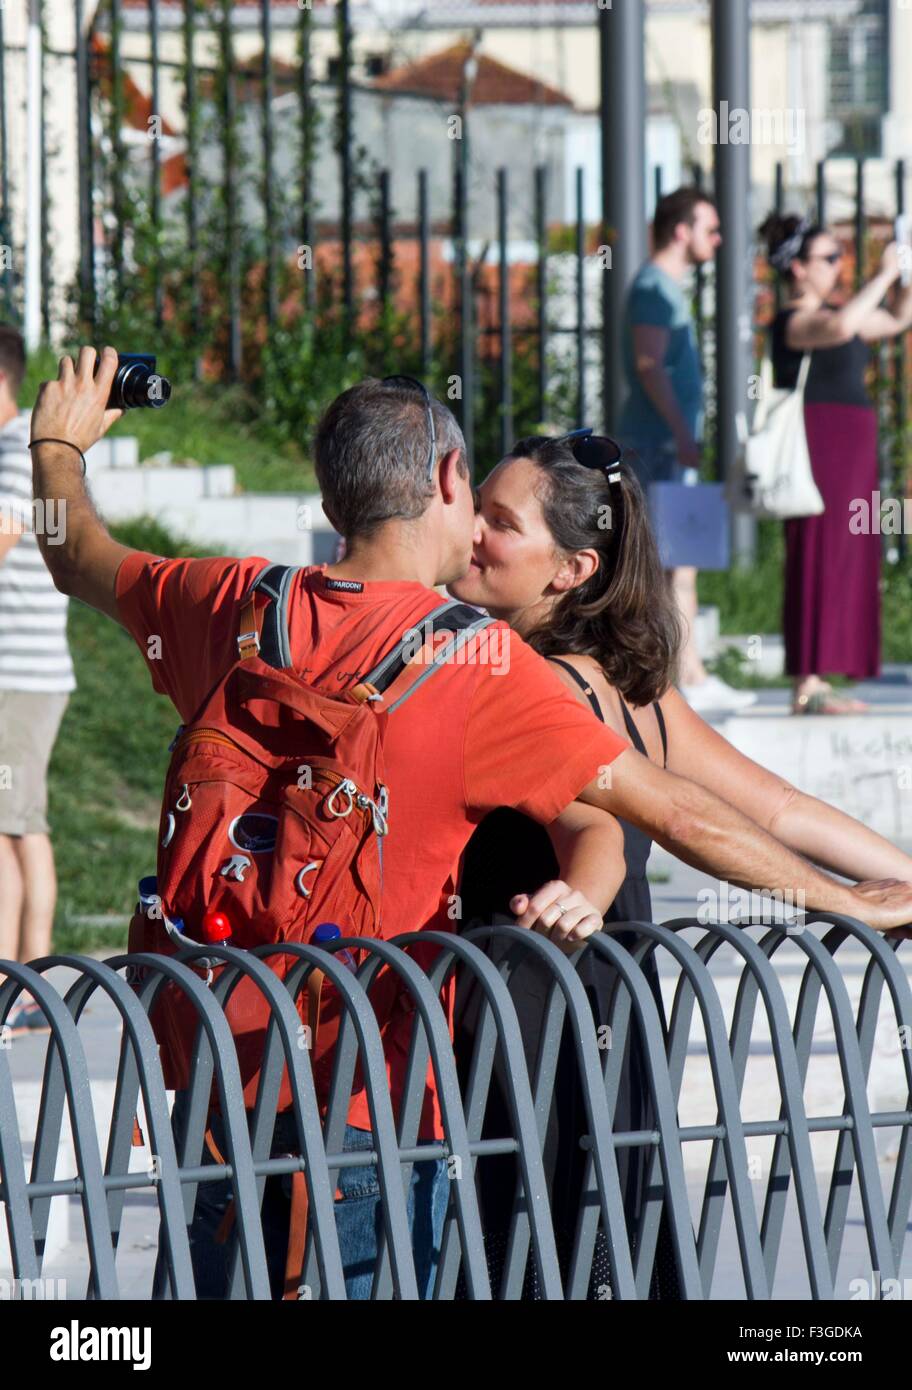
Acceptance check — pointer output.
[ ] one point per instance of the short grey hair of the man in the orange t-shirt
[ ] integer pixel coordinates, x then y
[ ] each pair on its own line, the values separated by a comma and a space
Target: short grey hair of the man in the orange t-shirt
372, 455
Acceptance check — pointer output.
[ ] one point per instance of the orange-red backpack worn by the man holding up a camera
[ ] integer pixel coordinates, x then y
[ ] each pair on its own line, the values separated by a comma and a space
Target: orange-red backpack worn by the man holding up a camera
275, 814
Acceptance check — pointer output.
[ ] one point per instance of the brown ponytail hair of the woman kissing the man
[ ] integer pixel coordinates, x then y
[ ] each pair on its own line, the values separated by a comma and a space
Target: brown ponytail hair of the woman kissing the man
624, 615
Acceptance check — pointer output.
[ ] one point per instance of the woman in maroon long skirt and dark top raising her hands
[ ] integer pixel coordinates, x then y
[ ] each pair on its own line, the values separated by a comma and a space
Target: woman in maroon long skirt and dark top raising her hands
832, 612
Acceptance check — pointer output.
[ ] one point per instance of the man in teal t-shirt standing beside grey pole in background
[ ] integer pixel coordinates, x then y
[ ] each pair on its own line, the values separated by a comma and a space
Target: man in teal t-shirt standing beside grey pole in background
662, 418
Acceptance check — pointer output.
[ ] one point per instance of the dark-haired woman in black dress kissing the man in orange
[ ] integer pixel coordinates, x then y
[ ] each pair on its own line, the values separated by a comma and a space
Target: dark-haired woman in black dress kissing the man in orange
565, 554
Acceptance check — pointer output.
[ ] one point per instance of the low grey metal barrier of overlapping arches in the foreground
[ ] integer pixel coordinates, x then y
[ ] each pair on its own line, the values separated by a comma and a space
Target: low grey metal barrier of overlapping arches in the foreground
487, 960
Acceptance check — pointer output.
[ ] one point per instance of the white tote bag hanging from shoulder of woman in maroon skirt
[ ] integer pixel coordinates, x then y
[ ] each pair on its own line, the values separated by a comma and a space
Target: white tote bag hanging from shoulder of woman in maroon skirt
778, 476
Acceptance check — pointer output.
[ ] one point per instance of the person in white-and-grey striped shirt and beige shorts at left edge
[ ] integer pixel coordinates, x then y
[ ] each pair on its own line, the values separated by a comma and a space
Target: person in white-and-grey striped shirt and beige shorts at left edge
35, 682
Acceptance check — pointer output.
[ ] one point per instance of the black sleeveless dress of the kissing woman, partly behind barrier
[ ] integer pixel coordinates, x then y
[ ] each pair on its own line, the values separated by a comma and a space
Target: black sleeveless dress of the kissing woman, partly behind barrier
510, 854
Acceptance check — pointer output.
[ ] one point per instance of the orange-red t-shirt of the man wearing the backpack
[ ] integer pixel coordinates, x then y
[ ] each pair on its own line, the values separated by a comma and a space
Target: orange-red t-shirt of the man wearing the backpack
476, 736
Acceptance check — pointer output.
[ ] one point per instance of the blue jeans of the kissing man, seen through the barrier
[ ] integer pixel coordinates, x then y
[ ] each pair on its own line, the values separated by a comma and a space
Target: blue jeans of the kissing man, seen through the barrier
358, 1214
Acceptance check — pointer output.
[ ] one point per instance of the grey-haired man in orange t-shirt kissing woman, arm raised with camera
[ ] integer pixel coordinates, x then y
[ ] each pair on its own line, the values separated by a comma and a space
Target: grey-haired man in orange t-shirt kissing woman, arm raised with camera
396, 483
